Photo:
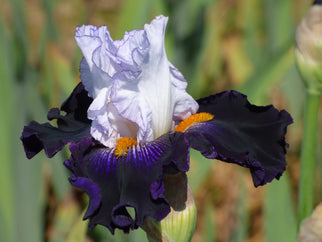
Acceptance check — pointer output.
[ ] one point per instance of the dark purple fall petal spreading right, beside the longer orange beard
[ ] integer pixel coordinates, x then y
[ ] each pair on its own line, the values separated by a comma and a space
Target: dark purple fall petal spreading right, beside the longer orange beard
242, 133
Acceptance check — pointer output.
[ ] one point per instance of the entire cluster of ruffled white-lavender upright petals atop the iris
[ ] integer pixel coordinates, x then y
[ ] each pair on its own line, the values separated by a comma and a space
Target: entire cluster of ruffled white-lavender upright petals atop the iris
134, 86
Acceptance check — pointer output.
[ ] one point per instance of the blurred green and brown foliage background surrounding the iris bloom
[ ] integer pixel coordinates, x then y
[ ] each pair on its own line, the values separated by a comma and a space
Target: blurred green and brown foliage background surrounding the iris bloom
246, 45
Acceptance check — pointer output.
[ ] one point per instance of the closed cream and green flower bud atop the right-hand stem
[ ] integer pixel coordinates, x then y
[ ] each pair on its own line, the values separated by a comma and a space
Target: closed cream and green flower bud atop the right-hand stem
309, 48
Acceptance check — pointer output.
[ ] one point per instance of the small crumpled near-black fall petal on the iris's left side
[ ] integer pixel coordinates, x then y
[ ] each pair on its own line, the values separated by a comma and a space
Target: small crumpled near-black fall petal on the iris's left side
72, 127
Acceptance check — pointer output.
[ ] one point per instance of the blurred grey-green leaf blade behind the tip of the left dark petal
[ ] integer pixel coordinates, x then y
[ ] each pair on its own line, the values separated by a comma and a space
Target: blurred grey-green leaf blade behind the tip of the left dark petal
28, 180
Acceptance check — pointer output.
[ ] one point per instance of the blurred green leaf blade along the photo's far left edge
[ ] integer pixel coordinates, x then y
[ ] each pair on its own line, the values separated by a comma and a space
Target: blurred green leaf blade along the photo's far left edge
7, 106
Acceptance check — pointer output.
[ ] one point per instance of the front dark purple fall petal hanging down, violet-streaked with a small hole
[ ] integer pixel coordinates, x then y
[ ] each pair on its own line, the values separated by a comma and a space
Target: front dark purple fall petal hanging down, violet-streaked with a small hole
132, 181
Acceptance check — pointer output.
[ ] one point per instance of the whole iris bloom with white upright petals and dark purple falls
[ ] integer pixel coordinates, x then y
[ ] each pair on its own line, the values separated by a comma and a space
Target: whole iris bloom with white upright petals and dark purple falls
130, 122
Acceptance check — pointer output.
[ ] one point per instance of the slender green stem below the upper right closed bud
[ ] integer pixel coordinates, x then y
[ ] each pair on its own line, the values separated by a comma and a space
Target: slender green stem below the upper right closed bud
308, 155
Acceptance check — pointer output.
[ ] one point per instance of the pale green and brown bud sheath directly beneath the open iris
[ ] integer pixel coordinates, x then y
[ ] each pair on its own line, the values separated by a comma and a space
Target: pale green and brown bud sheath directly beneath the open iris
179, 225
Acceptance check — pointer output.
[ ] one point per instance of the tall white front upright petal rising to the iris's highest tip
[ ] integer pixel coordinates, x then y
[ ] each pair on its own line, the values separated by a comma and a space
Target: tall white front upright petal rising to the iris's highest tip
146, 98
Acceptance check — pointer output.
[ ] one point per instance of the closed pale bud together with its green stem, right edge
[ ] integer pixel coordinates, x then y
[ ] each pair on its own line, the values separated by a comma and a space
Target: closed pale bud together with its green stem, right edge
309, 61
